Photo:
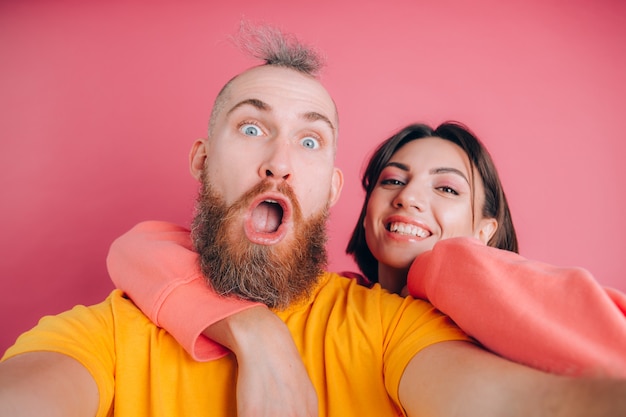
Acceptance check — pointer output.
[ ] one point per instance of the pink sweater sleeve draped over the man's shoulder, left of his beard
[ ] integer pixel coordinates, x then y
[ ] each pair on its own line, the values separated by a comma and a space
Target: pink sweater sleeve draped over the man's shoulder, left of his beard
155, 264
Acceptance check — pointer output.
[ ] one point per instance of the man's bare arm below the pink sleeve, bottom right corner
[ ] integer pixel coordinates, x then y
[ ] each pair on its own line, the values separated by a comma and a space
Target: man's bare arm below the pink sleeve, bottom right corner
457, 378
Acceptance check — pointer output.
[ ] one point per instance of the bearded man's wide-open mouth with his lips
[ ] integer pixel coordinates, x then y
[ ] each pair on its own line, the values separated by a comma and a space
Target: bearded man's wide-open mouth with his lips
267, 219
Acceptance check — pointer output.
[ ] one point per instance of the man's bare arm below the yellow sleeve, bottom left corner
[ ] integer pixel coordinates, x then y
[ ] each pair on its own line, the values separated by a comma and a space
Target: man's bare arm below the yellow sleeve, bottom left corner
46, 384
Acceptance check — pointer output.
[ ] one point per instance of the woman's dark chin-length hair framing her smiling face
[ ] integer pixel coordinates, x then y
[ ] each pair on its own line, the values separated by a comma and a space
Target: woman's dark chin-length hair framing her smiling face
495, 205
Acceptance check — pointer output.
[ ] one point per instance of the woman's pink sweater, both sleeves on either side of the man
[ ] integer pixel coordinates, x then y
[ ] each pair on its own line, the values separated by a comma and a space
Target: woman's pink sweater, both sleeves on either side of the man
555, 319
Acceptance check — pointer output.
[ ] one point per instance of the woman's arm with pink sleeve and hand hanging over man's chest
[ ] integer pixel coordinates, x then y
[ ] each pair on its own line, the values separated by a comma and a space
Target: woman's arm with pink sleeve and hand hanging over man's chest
154, 263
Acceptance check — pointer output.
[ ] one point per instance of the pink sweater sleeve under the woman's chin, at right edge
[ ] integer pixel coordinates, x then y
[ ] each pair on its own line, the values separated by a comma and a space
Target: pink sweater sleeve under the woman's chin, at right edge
555, 319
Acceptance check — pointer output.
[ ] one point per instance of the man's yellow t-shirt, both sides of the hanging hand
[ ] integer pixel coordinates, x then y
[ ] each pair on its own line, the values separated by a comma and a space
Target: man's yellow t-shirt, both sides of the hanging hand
355, 343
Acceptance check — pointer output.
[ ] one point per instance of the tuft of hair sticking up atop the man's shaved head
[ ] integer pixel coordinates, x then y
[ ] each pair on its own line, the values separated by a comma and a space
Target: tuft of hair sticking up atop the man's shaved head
274, 47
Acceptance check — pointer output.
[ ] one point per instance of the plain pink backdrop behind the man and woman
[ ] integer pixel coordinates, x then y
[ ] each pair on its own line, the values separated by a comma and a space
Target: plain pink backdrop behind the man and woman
100, 102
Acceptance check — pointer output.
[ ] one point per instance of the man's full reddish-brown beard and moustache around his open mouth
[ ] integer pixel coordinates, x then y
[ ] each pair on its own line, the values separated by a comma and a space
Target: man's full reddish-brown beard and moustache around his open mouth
275, 275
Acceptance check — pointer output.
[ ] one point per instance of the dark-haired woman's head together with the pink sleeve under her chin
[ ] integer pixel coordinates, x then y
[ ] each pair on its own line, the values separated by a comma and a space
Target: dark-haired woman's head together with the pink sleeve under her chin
435, 215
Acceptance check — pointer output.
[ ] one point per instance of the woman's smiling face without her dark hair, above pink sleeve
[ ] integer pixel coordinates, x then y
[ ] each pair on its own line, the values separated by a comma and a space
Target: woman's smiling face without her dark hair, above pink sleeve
424, 194
